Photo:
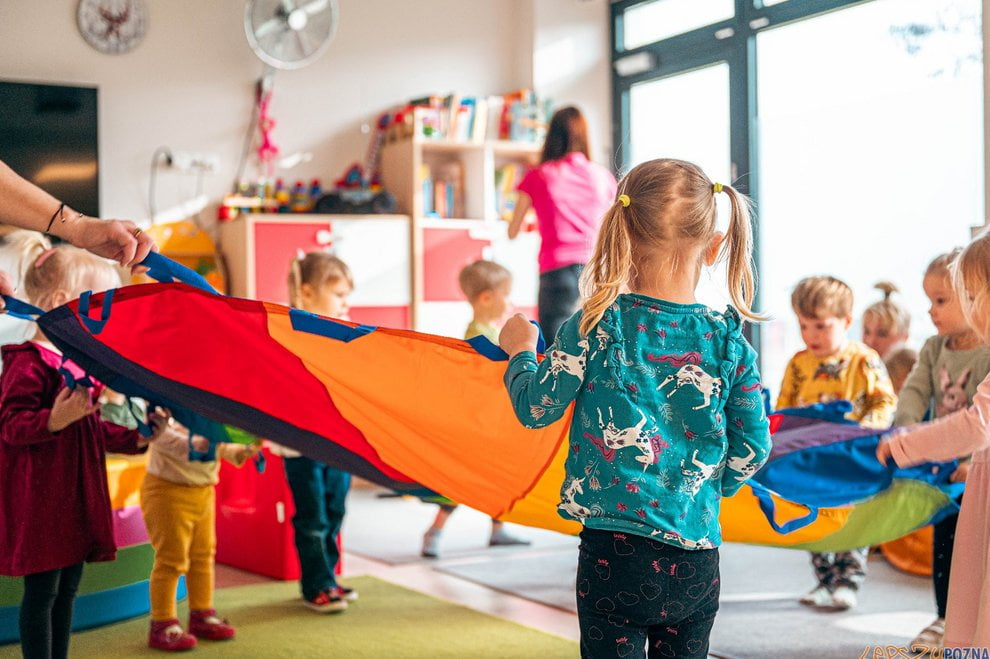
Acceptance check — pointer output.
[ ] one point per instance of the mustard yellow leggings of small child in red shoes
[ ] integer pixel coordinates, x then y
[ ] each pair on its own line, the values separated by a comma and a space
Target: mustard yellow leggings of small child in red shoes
181, 525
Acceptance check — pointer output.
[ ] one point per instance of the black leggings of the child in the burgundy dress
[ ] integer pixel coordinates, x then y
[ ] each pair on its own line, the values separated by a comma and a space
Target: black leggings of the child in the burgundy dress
46, 612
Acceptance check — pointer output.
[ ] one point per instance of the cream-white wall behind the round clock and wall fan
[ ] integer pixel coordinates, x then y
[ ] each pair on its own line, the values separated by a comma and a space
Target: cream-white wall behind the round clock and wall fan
190, 84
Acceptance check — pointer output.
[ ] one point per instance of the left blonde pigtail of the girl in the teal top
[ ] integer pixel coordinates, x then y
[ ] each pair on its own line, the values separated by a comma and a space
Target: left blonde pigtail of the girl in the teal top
609, 270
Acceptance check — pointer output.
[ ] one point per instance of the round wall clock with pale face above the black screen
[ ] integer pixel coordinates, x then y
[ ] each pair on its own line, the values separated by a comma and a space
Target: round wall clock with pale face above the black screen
112, 26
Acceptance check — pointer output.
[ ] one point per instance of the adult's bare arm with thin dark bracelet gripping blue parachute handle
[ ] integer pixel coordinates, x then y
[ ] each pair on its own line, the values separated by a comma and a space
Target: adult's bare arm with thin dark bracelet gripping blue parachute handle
27, 206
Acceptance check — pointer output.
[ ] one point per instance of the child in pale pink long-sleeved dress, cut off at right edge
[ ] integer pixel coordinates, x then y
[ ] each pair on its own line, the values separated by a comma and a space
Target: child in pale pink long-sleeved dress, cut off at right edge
967, 621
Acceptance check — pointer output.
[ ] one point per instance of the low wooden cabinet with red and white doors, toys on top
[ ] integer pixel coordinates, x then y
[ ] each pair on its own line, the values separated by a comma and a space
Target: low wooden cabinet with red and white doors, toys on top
259, 249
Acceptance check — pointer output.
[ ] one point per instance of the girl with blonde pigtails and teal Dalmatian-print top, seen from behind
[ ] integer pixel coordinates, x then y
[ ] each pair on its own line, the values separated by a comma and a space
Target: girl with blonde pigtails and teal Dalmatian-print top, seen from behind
668, 412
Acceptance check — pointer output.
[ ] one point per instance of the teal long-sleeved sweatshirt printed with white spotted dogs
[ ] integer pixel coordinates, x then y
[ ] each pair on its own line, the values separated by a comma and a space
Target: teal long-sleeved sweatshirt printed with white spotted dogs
668, 418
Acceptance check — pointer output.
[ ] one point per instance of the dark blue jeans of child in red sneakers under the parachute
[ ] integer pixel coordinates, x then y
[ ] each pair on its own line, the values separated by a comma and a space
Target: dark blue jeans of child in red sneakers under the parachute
319, 492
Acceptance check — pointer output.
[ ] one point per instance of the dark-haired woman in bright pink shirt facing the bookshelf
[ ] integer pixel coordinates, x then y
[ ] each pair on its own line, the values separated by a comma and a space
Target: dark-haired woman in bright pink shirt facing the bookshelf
569, 194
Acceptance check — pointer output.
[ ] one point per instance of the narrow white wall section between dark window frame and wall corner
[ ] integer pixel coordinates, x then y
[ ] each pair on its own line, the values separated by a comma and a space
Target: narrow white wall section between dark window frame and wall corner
571, 54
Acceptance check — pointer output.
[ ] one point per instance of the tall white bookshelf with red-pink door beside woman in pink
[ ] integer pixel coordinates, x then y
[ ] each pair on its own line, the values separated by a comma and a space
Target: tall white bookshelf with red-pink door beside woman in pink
460, 225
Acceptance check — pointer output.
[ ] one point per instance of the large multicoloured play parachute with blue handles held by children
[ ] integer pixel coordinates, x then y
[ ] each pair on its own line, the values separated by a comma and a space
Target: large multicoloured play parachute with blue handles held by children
425, 414
